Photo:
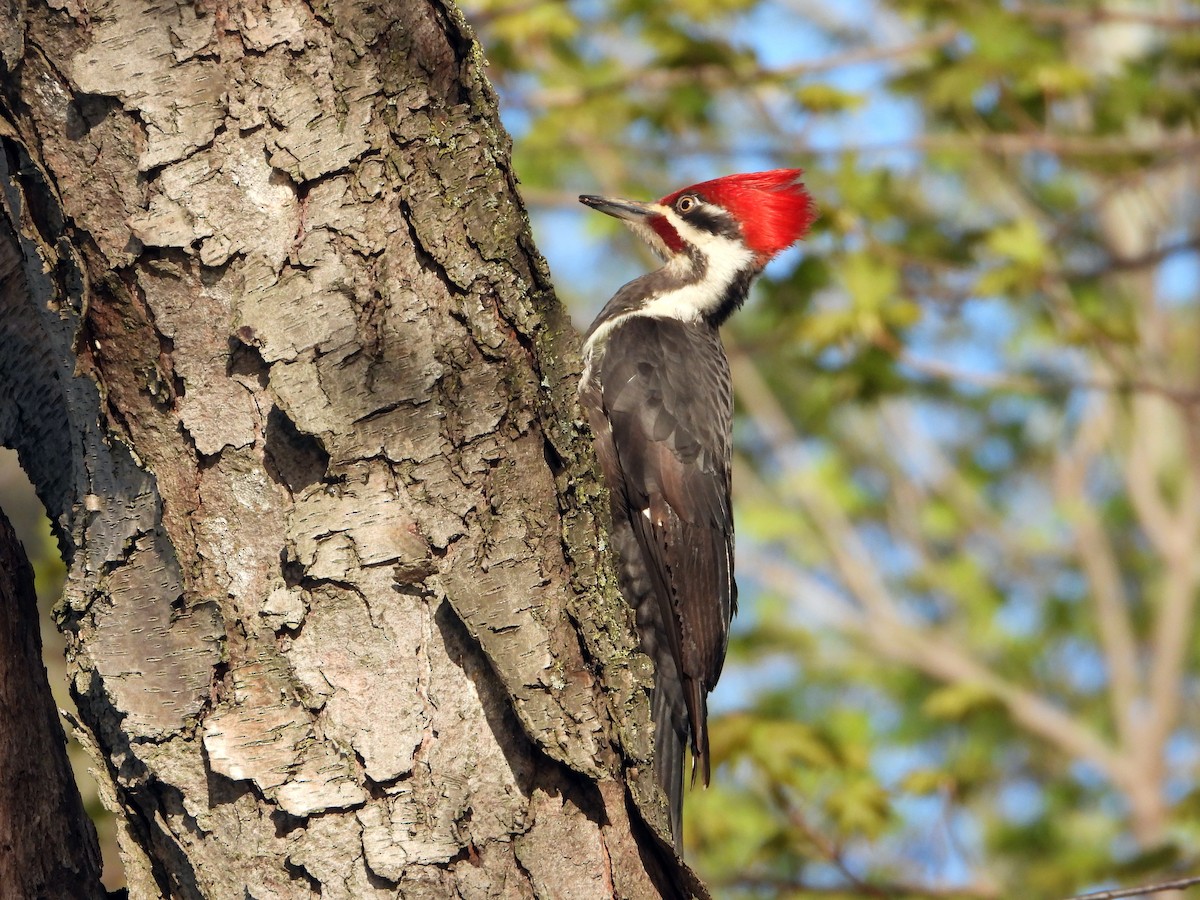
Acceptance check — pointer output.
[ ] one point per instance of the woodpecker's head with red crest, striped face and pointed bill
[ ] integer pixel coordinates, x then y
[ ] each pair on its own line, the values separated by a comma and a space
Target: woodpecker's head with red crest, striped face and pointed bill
743, 220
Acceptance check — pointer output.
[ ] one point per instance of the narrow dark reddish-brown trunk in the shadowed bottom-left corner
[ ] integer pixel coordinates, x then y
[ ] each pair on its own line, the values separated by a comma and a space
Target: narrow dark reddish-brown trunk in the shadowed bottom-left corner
47, 844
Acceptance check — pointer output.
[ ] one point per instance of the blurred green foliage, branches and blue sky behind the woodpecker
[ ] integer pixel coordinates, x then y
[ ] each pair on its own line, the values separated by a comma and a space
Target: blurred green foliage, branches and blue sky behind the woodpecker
969, 475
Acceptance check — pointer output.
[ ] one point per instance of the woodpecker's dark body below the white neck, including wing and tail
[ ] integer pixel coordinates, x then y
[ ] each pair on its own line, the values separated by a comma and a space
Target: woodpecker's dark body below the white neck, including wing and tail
661, 412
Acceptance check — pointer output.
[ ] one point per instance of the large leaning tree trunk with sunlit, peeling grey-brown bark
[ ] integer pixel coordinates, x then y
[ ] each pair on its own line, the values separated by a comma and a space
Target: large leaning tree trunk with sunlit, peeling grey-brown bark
290, 377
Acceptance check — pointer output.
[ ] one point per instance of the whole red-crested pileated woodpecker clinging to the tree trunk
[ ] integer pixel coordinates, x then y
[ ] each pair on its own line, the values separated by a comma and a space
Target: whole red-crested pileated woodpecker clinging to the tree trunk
659, 399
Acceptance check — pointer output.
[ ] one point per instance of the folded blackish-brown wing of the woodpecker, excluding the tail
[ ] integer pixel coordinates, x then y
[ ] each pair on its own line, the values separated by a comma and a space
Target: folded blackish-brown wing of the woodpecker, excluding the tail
668, 399
